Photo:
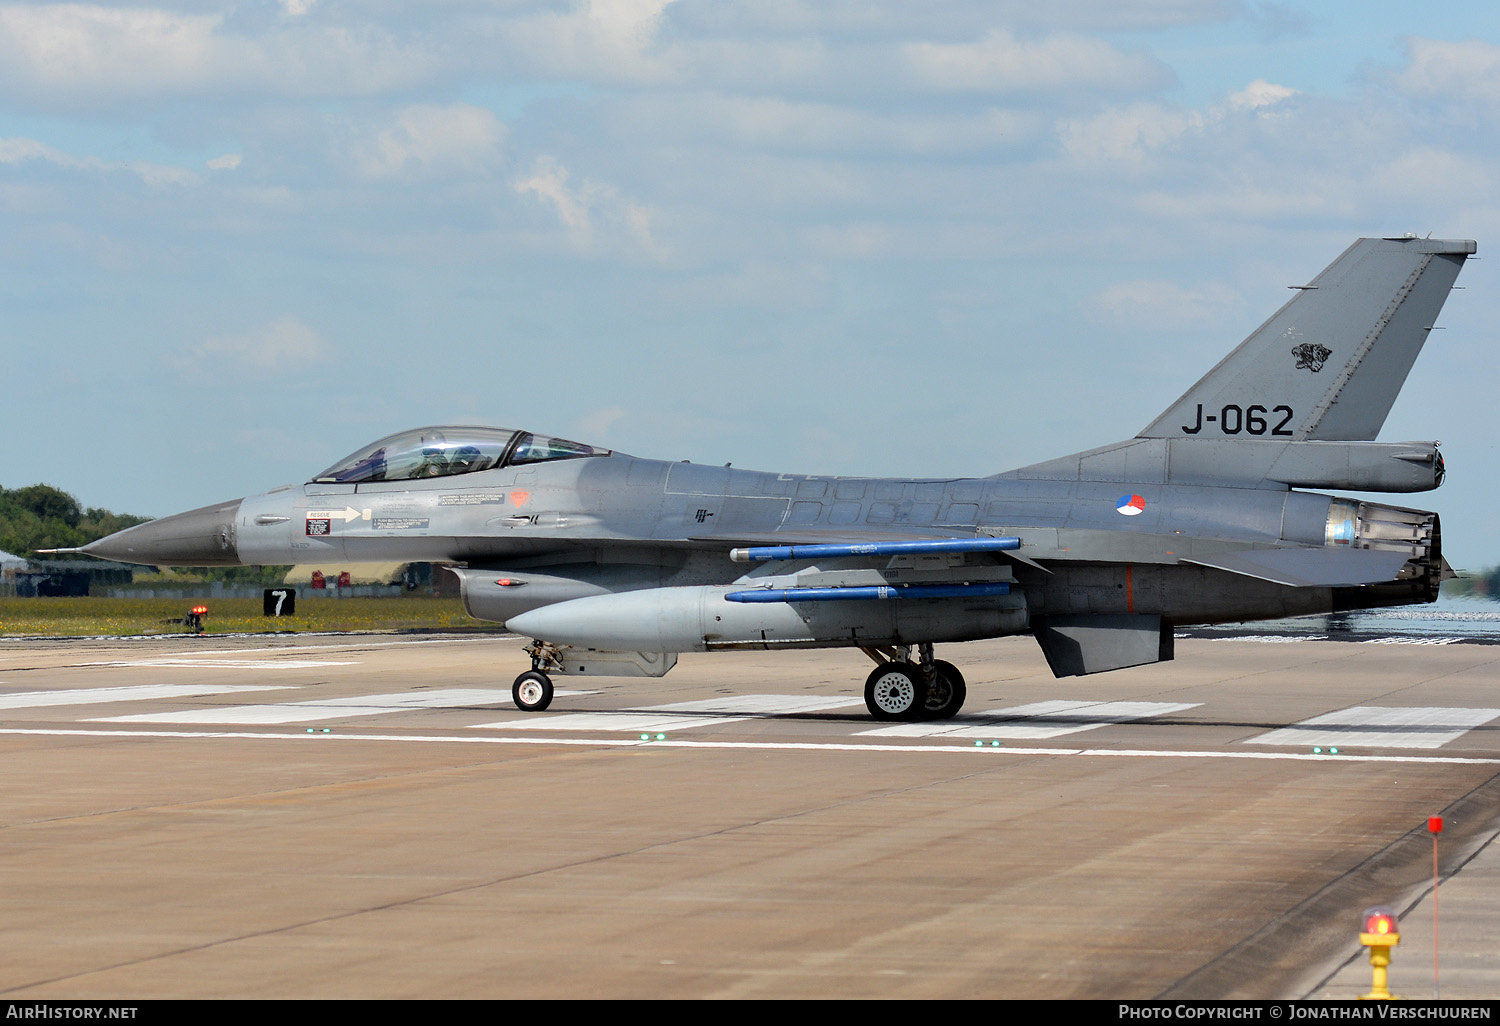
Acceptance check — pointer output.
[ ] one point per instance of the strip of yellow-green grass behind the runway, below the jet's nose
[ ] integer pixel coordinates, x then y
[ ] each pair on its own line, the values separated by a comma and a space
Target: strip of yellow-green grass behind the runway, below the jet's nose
127, 617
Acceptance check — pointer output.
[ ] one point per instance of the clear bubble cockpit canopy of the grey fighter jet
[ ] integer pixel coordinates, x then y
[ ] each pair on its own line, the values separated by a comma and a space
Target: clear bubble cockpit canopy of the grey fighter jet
443, 452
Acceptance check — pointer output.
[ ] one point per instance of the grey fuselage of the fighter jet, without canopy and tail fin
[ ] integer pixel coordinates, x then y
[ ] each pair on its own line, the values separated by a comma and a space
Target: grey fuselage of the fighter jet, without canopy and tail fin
613, 523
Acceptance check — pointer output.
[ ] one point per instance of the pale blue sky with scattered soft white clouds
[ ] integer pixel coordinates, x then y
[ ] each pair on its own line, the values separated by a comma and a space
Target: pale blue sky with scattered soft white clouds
242, 239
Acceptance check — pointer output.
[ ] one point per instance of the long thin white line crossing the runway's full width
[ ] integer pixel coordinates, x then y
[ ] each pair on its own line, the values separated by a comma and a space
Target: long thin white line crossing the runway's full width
748, 746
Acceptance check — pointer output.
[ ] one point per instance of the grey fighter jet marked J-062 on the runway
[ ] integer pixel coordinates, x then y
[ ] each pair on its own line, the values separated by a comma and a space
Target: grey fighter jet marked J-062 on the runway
616, 565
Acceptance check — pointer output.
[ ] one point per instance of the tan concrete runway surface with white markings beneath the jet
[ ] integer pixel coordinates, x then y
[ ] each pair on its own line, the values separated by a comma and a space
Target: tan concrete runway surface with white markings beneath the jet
370, 817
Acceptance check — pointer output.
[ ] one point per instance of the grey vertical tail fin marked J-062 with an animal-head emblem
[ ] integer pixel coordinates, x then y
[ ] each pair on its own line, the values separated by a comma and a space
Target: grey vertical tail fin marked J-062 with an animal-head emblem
1330, 364
